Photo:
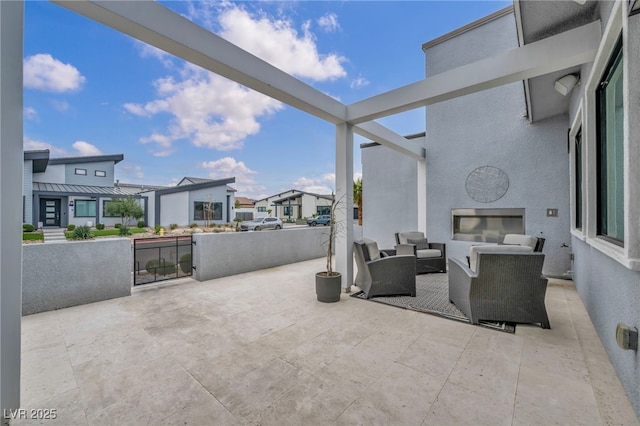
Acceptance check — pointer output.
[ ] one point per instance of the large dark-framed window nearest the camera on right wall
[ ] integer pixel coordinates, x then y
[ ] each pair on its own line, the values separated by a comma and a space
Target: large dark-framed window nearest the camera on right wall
610, 151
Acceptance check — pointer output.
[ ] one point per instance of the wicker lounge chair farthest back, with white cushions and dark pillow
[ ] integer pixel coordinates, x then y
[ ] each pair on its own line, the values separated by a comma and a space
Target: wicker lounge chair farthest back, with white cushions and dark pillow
430, 257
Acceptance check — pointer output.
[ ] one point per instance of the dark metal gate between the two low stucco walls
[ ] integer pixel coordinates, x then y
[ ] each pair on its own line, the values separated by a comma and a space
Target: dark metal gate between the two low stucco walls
160, 259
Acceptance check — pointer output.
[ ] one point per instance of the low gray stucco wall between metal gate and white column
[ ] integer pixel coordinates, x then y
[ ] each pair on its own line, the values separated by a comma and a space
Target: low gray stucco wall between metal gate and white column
223, 254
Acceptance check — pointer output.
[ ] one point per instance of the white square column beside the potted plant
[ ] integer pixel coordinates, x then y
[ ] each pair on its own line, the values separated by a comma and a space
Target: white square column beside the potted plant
344, 195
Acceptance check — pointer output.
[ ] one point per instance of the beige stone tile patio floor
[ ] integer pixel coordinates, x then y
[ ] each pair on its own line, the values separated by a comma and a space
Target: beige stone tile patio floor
258, 348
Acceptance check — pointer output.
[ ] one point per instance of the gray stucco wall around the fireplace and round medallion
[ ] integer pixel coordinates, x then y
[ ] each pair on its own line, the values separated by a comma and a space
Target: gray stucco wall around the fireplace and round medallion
488, 128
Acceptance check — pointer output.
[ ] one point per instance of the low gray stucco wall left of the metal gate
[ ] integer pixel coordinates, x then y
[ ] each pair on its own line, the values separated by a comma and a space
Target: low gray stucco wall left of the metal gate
58, 275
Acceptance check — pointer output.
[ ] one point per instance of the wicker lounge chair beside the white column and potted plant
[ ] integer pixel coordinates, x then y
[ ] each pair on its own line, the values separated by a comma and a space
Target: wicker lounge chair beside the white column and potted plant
380, 275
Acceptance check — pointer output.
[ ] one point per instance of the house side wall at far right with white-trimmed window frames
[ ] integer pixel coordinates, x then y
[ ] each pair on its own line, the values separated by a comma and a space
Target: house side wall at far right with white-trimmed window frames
608, 277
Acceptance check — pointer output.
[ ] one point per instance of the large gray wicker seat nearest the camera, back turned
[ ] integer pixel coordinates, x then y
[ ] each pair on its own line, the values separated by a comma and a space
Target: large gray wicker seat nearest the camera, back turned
506, 286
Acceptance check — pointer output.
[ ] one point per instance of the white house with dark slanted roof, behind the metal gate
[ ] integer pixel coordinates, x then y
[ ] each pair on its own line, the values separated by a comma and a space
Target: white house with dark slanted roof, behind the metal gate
193, 200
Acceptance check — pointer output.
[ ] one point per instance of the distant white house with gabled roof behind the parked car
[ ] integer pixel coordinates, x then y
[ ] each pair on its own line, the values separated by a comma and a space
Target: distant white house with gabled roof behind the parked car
294, 204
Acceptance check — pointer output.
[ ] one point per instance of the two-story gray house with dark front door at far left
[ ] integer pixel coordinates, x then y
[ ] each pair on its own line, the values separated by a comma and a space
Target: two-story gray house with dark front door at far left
72, 190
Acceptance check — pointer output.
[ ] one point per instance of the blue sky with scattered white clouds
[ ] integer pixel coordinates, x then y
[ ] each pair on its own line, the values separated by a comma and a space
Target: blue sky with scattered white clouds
90, 90
